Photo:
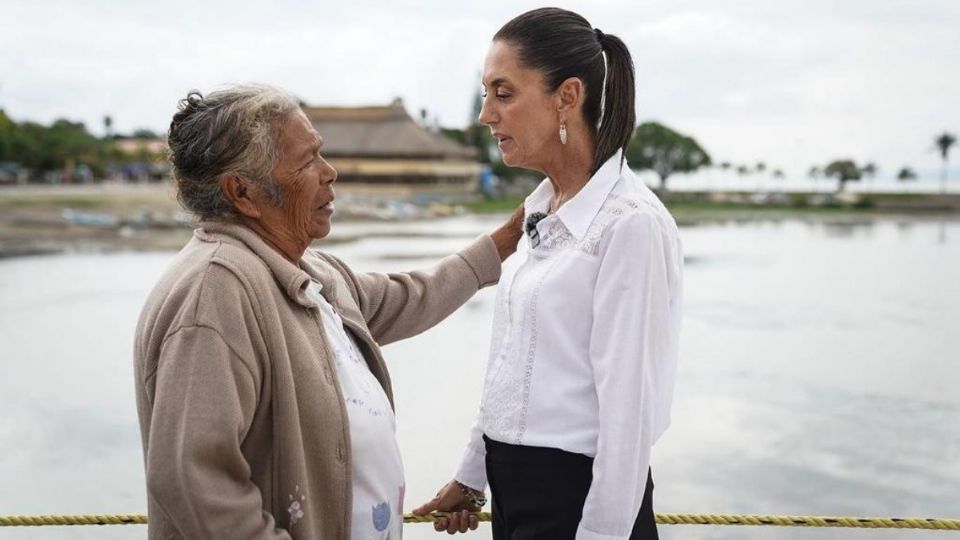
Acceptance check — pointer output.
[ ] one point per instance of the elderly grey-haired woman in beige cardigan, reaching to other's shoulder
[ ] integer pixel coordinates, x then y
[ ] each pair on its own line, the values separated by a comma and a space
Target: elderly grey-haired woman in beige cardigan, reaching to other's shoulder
265, 405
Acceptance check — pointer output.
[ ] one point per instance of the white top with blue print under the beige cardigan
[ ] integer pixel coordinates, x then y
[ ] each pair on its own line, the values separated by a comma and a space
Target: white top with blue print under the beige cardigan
378, 483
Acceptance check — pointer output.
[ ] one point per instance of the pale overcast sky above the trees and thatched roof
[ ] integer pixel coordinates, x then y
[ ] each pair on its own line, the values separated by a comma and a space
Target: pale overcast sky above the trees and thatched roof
792, 83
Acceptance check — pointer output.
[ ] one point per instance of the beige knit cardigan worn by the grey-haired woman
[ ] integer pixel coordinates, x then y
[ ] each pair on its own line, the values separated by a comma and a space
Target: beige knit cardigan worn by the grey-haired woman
244, 429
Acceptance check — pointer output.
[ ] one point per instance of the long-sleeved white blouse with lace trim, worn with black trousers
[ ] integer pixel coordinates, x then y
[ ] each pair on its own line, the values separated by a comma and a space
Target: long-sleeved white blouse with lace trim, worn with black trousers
584, 352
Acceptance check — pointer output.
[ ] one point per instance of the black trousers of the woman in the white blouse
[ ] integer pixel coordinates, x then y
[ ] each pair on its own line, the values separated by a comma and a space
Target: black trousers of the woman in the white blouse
538, 493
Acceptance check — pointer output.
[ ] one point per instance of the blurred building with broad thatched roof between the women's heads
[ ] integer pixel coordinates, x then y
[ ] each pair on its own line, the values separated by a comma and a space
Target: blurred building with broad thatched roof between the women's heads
384, 145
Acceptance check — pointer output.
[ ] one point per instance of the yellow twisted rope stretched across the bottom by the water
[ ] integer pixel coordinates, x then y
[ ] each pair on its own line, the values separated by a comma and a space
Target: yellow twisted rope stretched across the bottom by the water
663, 519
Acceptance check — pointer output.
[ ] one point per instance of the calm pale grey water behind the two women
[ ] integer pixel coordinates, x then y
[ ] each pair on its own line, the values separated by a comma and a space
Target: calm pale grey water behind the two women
818, 377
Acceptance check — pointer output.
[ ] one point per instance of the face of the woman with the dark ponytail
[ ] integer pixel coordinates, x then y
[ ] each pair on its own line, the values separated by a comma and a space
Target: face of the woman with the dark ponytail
518, 109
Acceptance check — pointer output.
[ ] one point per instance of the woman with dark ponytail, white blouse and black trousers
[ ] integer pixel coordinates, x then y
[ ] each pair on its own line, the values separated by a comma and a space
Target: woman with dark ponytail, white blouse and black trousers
584, 348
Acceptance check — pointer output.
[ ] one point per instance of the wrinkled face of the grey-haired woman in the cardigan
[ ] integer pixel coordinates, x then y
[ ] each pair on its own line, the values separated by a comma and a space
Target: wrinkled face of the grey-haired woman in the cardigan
306, 182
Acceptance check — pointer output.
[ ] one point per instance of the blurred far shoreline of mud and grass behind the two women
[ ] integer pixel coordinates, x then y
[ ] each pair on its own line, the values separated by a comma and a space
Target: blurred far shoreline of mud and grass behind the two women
46, 220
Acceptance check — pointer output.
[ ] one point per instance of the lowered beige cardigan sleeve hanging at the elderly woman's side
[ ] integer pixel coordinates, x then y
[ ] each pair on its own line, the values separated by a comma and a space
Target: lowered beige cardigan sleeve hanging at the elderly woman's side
204, 401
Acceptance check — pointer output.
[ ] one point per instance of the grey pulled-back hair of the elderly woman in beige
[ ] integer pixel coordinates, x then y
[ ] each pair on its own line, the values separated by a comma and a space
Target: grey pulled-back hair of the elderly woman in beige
235, 130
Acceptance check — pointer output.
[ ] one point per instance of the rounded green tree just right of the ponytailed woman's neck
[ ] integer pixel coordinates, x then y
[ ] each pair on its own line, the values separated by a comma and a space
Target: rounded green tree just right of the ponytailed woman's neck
665, 151
